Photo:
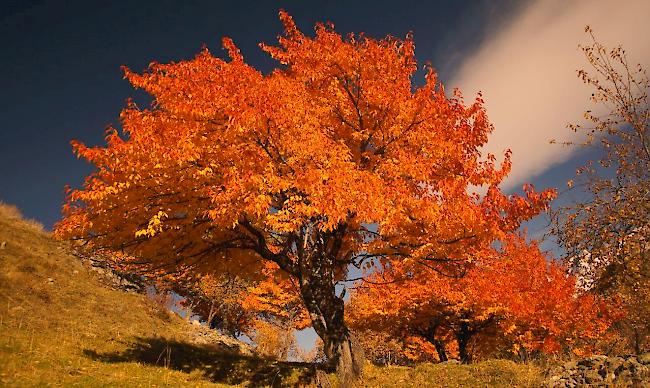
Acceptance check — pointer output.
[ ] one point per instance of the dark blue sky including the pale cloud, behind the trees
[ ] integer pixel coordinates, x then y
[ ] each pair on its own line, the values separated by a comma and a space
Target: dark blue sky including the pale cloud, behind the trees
61, 79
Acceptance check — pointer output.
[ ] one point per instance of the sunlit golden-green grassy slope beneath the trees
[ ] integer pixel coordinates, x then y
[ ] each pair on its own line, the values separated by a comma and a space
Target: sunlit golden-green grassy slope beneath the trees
60, 324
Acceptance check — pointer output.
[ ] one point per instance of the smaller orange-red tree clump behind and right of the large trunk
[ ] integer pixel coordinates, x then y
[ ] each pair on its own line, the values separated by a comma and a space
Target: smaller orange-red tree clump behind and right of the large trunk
511, 299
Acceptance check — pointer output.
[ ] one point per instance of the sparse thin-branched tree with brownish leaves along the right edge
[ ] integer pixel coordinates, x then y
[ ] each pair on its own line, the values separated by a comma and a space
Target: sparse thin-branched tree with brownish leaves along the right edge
606, 236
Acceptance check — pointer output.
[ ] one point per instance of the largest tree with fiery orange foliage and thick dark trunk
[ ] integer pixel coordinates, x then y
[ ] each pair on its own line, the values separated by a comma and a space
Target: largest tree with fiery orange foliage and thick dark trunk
336, 158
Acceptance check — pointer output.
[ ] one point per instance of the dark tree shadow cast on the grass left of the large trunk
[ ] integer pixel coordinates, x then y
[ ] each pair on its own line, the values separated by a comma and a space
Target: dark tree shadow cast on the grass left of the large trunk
217, 365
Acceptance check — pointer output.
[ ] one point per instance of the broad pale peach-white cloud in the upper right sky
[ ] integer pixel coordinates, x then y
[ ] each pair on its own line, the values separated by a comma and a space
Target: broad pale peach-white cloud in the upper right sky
527, 73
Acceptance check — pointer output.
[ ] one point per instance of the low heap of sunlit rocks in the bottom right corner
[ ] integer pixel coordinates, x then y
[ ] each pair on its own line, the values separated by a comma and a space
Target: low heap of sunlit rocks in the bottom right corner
602, 371
